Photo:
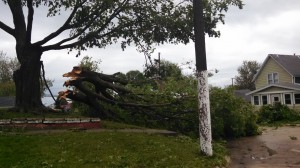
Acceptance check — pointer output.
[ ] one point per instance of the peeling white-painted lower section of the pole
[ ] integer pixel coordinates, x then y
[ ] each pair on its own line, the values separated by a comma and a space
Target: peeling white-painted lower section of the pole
204, 113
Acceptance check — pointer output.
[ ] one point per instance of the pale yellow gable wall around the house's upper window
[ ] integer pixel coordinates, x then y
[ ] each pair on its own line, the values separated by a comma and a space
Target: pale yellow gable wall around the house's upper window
271, 66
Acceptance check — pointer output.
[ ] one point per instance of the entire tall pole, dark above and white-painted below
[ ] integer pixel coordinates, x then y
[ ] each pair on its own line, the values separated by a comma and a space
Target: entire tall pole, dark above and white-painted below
201, 73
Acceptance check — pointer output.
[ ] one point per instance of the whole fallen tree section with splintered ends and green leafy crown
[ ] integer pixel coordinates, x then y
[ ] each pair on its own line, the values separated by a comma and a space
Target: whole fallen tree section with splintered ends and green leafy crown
174, 107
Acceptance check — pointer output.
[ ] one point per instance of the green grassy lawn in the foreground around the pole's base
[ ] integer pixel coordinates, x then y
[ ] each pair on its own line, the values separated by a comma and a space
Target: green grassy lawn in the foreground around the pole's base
102, 149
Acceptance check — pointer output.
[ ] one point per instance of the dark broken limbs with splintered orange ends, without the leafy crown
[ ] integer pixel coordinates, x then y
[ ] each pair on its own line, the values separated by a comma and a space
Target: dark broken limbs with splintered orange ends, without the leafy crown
94, 88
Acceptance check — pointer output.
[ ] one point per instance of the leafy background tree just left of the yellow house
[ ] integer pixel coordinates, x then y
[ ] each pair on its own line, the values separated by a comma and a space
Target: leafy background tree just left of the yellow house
247, 72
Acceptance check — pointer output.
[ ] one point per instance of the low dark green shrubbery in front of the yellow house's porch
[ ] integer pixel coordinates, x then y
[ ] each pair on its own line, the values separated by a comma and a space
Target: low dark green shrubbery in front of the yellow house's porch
277, 112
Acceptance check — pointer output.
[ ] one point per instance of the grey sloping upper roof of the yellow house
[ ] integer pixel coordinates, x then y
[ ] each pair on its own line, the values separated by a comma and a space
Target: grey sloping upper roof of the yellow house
290, 63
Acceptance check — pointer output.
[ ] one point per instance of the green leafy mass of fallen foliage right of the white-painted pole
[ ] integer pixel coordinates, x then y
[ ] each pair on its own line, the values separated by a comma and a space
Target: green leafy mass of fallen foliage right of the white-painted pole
232, 117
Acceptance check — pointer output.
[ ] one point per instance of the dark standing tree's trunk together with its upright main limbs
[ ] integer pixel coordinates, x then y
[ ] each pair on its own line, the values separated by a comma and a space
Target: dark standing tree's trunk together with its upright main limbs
27, 77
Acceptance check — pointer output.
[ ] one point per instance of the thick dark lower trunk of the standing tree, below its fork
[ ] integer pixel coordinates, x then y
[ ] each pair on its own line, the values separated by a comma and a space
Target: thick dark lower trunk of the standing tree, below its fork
27, 80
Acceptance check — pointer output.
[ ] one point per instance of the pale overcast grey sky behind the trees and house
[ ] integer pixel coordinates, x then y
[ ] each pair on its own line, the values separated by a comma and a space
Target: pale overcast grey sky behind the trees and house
262, 27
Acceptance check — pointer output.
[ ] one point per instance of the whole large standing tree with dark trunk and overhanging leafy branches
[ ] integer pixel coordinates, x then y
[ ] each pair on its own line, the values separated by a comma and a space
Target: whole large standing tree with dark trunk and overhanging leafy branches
98, 23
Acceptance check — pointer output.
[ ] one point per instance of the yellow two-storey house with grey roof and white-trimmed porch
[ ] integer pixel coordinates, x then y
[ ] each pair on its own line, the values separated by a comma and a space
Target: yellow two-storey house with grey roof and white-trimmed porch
278, 80
